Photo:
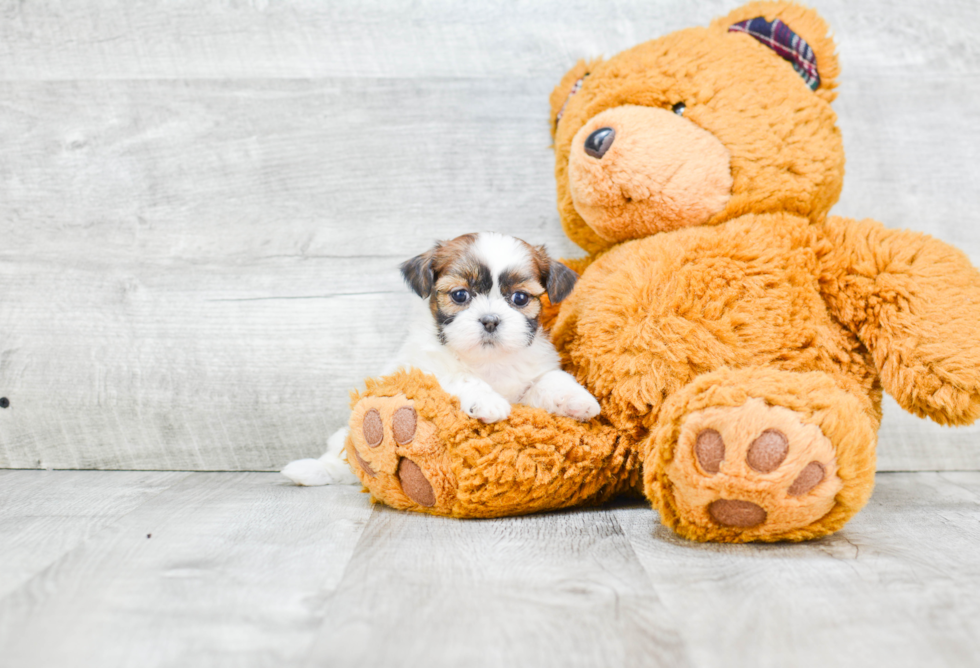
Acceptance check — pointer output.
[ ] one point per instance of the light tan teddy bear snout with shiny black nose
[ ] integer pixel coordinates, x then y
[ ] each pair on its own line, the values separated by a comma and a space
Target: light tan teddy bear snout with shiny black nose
635, 171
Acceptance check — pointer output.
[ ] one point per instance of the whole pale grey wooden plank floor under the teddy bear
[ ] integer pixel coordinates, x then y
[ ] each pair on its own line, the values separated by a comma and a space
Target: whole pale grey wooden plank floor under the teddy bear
241, 569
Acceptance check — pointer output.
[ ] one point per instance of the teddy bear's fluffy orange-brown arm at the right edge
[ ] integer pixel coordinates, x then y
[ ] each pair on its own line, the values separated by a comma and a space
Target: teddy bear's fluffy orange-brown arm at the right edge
914, 302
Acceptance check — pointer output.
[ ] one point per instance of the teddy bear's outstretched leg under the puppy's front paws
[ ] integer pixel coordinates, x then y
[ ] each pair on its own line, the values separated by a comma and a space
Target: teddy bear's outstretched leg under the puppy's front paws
414, 449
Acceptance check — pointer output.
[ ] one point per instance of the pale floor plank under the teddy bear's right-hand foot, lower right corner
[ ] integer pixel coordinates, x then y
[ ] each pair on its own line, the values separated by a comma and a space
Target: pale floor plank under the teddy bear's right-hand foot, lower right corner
898, 586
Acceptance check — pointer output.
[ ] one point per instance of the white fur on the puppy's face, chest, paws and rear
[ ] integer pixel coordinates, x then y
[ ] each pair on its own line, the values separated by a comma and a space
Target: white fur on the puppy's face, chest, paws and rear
487, 373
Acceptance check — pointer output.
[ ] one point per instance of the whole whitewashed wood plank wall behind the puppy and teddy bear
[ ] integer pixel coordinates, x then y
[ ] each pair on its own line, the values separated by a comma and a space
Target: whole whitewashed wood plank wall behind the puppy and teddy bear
203, 203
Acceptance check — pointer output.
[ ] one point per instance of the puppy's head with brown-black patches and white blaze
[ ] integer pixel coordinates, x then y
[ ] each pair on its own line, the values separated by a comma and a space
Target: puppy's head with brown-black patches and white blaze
484, 290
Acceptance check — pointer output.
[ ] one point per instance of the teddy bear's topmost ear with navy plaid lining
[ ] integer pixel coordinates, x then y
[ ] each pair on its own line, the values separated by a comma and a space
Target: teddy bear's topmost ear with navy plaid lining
795, 33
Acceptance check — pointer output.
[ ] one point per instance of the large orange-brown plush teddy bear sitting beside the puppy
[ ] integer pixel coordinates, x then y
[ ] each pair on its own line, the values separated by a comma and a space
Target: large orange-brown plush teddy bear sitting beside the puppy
737, 336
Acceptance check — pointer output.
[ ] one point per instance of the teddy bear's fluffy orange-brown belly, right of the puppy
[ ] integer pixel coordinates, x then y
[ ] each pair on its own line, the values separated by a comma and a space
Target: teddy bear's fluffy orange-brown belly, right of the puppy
651, 314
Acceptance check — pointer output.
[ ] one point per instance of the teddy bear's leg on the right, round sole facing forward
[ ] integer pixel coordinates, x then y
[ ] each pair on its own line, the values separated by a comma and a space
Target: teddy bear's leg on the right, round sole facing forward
761, 454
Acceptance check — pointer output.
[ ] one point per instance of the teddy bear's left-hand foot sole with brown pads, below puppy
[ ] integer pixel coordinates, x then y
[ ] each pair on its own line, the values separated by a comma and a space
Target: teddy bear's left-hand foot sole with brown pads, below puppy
397, 455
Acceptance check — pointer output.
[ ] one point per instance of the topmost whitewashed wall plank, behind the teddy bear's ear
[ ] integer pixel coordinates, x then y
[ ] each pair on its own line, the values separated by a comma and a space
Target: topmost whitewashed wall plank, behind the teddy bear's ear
210, 39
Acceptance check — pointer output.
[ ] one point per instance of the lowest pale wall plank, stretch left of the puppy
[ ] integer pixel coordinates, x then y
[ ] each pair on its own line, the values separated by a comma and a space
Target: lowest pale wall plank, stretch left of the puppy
176, 365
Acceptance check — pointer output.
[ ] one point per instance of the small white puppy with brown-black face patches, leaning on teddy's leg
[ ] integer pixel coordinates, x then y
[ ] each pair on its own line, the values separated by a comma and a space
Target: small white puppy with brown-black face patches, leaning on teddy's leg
476, 329
